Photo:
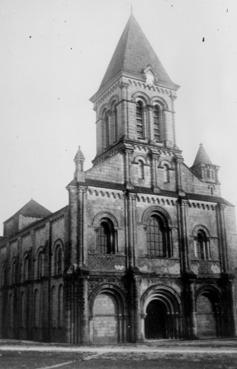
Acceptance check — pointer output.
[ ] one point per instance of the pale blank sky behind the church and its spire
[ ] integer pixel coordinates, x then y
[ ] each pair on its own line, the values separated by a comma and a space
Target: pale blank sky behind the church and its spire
54, 54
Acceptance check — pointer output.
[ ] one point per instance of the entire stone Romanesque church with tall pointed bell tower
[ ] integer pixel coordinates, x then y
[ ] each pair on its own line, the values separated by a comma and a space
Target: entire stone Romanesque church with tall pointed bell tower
145, 248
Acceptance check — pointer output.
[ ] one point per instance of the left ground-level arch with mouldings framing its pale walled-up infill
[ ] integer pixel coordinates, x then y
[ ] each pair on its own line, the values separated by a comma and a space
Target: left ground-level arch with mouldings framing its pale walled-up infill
107, 317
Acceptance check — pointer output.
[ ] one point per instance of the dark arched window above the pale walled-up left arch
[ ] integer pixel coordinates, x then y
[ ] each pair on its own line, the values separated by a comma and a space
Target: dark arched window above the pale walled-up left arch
106, 237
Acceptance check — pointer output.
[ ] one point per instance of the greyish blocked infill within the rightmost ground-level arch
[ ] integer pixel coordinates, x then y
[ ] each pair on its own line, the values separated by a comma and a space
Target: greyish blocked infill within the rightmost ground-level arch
206, 316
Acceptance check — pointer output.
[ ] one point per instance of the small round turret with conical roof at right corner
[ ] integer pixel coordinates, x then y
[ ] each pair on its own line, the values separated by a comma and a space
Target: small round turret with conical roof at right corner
203, 167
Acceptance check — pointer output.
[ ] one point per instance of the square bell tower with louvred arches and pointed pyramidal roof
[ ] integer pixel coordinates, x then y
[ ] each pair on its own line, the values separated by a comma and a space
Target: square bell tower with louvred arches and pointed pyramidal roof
135, 101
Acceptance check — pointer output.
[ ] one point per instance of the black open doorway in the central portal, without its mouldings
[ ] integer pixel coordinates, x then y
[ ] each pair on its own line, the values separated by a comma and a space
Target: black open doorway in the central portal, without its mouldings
156, 324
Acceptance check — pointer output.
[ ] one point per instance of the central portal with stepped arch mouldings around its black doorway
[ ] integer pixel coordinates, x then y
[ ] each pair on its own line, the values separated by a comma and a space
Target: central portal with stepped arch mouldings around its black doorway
162, 315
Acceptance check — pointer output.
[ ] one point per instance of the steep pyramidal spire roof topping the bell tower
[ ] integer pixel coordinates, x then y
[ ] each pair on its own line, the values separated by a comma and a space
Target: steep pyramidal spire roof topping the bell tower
133, 54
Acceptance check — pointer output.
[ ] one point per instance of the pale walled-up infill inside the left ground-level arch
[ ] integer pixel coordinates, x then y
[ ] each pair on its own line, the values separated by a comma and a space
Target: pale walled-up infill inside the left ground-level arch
105, 322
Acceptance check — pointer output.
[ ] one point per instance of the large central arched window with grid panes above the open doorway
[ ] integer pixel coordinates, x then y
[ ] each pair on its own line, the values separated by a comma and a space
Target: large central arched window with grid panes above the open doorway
157, 244
